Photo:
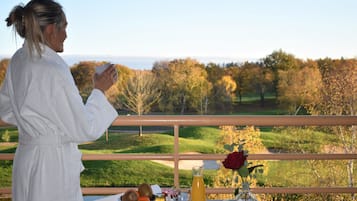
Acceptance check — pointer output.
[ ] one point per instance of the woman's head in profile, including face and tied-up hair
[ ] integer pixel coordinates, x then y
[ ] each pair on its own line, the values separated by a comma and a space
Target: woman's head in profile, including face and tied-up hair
40, 21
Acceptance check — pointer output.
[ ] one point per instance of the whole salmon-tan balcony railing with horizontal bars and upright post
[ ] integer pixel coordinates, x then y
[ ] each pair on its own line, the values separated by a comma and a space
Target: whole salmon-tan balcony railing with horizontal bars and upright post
195, 120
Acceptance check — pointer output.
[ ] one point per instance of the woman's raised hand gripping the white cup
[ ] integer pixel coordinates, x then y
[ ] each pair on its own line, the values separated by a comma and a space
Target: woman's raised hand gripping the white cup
106, 79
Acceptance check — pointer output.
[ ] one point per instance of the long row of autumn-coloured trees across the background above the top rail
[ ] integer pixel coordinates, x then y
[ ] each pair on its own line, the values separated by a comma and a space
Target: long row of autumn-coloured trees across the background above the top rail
322, 86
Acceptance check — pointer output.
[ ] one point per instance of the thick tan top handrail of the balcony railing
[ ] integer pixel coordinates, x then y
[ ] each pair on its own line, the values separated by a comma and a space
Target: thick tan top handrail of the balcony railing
243, 120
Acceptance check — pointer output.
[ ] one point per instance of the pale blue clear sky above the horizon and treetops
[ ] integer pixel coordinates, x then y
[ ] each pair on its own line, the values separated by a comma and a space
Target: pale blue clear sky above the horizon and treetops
241, 29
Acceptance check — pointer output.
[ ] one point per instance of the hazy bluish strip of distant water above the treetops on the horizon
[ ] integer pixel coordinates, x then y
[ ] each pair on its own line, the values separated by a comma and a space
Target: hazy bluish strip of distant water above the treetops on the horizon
140, 62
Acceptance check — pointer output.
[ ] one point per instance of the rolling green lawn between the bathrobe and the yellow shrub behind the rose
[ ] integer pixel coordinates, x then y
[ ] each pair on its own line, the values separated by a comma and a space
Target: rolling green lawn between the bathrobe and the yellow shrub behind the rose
133, 173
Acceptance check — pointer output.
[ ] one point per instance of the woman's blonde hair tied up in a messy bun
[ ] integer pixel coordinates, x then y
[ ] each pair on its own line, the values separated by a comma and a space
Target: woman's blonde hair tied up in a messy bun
30, 21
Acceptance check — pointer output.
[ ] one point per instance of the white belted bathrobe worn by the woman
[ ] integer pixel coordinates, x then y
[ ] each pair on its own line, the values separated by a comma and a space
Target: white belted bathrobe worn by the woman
40, 97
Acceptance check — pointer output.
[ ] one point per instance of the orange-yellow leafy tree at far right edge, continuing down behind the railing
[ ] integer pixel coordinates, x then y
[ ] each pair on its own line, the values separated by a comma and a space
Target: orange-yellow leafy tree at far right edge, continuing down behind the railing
338, 97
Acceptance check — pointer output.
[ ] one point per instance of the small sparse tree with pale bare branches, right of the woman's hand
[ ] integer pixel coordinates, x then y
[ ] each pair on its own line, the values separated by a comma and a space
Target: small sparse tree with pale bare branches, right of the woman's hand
140, 93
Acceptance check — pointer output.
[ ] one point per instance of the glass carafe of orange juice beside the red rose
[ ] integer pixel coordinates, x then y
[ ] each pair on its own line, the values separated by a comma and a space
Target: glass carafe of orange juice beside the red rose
198, 191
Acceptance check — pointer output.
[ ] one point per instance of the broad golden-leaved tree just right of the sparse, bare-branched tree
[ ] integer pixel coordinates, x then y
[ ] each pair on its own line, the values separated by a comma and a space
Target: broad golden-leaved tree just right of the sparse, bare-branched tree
181, 81
